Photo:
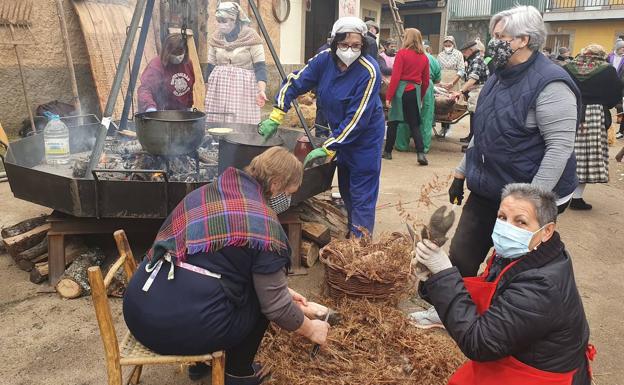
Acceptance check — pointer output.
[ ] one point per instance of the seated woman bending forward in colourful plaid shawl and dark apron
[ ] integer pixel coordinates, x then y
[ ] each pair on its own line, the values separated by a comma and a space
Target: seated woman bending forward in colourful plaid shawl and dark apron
216, 273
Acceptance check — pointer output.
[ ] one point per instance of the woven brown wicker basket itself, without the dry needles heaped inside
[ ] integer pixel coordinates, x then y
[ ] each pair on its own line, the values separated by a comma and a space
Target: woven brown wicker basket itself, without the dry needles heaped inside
356, 285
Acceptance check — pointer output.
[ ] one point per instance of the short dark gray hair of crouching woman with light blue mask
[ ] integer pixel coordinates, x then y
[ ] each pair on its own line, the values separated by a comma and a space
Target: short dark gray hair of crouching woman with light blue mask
544, 202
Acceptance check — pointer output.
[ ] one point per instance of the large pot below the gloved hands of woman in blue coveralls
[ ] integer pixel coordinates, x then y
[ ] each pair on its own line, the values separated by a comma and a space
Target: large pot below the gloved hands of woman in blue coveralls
237, 150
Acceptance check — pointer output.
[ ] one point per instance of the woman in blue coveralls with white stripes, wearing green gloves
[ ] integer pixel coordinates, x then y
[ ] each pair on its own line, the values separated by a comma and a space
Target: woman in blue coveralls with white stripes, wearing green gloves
347, 83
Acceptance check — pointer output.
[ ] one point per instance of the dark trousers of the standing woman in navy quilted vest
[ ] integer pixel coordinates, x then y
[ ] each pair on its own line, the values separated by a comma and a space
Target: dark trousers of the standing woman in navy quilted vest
473, 238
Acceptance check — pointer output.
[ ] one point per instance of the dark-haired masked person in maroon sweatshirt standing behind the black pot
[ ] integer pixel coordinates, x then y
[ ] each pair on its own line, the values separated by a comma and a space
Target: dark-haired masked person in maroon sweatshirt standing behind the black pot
167, 81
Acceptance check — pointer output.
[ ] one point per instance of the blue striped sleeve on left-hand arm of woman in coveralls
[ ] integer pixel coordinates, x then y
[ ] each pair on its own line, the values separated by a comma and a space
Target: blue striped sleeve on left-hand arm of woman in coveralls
300, 82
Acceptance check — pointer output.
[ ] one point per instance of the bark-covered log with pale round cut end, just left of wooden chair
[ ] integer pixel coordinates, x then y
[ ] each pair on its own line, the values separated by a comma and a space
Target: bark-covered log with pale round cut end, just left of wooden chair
74, 282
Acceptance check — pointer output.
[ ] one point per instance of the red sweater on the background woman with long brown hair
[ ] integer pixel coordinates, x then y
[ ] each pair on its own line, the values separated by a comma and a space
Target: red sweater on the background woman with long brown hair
412, 67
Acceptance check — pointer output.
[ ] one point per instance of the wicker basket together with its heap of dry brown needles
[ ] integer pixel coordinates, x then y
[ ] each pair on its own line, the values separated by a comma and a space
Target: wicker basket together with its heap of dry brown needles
362, 267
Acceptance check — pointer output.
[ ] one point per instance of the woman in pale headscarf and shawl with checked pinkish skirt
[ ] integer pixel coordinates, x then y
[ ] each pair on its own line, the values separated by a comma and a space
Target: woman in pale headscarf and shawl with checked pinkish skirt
236, 72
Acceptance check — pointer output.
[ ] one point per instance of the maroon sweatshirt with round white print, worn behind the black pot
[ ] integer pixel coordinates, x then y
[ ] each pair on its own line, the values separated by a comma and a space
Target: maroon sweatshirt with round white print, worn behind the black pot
166, 88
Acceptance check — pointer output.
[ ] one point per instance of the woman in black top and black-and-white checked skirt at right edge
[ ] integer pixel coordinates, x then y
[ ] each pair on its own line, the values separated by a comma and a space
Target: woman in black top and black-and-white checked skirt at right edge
601, 90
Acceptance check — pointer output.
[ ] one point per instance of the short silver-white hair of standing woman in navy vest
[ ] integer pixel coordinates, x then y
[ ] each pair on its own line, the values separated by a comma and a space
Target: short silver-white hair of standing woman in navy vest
522, 20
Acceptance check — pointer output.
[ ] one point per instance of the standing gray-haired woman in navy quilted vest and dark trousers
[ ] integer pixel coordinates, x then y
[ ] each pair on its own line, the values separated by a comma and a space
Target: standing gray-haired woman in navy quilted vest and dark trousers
524, 129
